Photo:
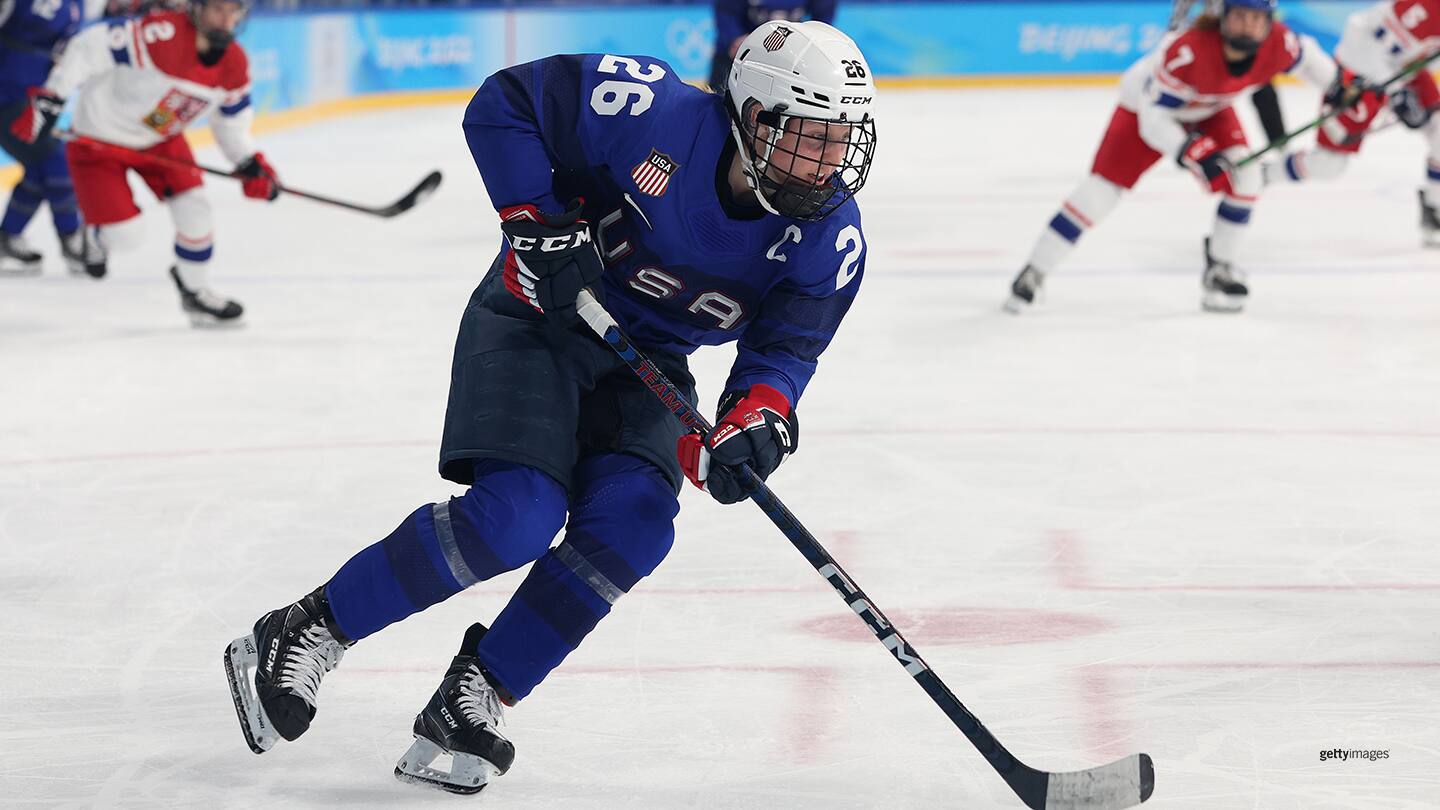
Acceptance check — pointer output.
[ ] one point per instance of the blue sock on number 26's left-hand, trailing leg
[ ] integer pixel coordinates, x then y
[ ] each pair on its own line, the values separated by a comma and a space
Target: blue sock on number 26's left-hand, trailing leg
505, 521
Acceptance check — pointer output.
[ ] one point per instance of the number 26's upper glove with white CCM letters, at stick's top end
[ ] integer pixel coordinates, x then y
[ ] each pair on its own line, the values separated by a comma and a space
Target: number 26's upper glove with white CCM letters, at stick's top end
552, 259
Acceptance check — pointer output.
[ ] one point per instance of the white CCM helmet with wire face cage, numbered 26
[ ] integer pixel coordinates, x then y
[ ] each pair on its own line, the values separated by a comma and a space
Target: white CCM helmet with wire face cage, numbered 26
784, 77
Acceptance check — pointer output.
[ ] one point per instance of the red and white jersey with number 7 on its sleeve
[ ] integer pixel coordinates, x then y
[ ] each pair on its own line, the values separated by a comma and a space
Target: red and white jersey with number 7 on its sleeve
1187, 80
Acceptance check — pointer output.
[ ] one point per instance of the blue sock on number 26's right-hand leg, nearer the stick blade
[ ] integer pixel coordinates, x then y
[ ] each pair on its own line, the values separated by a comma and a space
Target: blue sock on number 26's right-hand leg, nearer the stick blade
621, 528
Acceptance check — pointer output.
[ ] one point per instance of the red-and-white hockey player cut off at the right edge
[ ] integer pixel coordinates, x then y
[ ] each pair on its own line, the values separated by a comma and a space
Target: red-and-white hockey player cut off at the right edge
1379, 44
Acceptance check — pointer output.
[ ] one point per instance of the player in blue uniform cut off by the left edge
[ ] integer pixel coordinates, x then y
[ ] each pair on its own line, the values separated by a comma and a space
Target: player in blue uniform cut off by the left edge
31, 37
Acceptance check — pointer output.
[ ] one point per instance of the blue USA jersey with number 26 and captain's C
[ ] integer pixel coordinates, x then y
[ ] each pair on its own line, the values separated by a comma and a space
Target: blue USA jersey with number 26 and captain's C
644, 151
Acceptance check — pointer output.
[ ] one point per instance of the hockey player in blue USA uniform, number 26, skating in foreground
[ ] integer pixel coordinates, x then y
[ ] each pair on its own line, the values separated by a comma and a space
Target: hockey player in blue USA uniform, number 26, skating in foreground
706, 220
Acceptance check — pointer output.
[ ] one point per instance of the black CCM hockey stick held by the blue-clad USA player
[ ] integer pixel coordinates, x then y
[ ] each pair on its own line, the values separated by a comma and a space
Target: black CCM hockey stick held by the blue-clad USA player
1124, 783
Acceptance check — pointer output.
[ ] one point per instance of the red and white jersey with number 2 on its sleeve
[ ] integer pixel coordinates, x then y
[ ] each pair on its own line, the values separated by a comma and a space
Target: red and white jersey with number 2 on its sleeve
142, 83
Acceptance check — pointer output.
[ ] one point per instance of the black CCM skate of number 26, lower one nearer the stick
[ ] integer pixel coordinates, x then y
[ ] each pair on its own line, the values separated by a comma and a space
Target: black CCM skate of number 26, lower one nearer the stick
460, 723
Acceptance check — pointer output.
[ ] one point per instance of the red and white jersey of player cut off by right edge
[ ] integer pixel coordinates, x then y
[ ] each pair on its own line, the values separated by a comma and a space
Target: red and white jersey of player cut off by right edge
1380, 41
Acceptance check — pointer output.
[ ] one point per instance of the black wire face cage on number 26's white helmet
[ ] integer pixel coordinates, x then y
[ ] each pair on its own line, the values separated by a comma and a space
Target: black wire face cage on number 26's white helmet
809, 168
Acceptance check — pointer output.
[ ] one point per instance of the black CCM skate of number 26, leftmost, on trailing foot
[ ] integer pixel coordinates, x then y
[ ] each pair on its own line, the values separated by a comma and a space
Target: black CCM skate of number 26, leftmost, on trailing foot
277, 669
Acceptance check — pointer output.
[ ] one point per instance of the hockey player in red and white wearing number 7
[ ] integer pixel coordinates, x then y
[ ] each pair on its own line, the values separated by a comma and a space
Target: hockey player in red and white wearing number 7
1179, 103
